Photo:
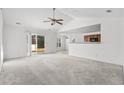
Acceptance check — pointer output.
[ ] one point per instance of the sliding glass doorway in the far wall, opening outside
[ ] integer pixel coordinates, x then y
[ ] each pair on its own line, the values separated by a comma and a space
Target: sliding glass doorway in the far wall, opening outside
37, 44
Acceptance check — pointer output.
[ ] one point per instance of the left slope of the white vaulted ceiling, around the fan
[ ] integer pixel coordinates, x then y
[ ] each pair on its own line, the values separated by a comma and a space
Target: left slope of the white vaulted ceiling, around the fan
33, 17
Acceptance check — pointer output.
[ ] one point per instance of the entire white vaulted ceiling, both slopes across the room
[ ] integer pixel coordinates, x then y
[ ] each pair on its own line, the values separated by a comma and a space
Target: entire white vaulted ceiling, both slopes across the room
34, 17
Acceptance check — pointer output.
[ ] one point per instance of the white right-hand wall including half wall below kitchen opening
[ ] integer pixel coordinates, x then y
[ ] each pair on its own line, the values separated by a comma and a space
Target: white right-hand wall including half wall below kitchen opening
110, 49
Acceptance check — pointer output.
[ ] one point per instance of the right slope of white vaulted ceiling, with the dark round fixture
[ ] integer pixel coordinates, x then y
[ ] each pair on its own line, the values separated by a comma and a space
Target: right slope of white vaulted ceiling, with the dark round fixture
93, 12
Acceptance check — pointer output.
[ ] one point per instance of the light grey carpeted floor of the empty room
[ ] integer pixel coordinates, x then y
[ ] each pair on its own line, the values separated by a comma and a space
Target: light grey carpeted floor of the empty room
59, 69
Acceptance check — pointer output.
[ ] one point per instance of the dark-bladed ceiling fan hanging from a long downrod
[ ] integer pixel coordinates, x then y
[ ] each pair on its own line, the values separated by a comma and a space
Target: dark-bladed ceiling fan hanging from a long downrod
53, 20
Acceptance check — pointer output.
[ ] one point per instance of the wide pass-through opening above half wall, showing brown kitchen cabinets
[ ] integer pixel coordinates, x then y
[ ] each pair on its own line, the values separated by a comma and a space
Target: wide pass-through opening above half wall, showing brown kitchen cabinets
86, 34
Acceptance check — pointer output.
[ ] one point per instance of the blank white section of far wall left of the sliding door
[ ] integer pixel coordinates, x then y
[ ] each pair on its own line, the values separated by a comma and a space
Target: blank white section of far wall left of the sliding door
15, 42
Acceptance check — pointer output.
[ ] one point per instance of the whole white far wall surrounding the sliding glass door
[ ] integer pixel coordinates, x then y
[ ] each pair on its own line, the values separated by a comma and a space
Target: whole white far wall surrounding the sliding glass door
15, 41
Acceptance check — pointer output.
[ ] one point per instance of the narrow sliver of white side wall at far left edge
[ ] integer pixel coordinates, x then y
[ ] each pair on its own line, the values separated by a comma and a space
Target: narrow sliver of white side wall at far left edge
1, 39
